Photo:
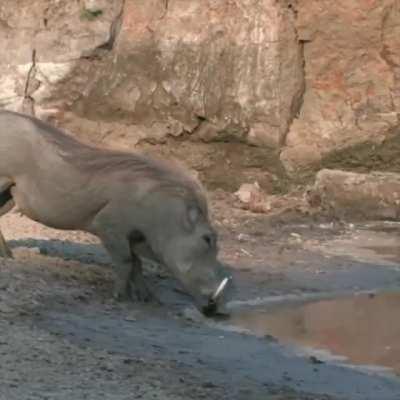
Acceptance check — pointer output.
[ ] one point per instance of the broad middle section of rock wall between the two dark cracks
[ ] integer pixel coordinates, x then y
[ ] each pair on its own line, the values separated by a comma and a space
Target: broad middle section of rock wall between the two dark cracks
213, 70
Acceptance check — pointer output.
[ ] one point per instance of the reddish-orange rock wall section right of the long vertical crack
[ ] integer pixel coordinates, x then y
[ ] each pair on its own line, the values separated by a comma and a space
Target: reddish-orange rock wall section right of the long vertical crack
352, 67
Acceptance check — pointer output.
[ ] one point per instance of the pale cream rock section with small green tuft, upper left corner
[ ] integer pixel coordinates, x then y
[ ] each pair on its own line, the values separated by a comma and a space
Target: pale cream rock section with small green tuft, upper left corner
47, 46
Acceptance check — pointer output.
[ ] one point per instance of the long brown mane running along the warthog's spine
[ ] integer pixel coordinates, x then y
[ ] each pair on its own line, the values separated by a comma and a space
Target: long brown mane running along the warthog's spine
166, 175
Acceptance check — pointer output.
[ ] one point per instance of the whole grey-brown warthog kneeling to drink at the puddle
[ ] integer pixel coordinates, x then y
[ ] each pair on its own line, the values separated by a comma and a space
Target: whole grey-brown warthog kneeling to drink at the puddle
134, 204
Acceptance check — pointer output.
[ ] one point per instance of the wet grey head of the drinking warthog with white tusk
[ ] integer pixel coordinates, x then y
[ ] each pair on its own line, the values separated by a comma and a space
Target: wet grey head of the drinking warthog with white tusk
186, 243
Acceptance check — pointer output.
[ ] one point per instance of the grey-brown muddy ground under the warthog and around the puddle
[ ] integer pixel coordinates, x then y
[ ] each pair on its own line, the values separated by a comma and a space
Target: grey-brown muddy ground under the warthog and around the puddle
63, 337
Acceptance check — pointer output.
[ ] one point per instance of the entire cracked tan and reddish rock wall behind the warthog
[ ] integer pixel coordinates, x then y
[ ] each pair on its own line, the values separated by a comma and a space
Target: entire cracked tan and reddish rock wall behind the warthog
299, 78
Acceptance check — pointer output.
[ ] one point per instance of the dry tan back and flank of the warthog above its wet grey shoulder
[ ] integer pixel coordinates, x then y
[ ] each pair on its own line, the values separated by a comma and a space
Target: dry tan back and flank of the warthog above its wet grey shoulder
60, 181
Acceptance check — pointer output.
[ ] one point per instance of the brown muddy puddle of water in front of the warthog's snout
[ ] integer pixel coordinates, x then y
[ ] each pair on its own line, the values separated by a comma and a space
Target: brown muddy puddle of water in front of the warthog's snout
365, 329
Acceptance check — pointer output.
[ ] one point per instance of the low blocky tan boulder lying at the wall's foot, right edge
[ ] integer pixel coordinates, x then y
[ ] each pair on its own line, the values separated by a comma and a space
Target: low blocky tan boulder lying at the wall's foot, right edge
355, 196
